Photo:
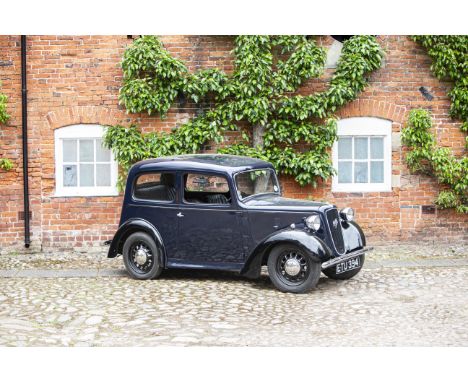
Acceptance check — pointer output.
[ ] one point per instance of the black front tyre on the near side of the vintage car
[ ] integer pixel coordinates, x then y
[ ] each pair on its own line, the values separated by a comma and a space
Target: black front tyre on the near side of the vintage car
308, 276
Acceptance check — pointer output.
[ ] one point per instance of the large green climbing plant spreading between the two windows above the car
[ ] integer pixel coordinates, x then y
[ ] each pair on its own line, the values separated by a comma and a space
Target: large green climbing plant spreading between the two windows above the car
259, 93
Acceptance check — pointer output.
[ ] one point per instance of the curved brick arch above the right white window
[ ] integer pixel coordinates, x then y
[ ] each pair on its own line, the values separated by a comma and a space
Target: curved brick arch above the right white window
374, 108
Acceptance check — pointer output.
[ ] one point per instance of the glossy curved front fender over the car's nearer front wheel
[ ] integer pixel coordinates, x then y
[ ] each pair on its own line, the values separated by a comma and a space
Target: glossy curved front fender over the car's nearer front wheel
311, 244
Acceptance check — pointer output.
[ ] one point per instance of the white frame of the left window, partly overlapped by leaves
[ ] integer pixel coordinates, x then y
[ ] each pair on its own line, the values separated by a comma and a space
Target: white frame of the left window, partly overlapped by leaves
81, 132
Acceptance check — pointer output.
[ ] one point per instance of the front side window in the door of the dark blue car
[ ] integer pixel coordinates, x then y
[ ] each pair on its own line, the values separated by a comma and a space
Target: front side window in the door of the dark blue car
206, 189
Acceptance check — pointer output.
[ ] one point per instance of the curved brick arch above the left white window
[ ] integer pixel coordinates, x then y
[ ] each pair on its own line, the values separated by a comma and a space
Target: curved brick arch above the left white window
75, 115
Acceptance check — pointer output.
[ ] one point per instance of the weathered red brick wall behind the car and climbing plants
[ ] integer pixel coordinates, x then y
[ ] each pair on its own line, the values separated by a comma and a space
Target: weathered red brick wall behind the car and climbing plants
75, 79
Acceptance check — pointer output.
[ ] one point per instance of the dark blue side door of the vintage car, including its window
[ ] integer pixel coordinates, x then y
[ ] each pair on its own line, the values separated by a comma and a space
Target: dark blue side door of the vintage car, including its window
208, 221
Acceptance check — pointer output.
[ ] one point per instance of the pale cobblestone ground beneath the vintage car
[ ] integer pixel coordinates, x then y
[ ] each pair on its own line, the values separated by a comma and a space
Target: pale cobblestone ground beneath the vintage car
401, 297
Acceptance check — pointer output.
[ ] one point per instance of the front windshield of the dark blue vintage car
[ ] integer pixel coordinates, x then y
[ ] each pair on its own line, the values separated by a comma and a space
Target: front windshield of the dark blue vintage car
256, 182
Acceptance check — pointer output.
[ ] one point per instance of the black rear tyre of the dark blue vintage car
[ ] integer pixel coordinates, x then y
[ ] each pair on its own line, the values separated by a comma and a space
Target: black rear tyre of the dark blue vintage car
151, 268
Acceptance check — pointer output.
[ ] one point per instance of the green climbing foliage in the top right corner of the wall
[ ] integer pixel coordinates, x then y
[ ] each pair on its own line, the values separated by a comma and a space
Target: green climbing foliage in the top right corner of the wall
449, 56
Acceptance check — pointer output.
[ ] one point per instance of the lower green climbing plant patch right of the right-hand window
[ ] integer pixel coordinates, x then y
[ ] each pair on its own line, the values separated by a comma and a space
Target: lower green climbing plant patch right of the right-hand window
427, 158
